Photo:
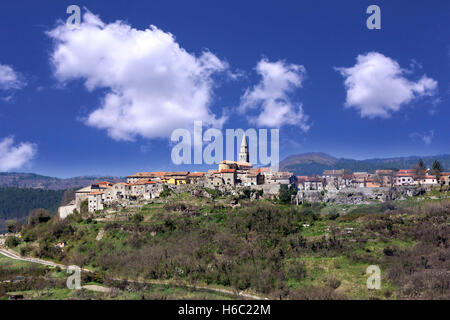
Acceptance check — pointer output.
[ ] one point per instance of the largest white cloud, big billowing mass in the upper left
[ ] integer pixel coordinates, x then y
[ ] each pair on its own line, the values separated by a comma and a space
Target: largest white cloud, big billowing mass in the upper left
153, 85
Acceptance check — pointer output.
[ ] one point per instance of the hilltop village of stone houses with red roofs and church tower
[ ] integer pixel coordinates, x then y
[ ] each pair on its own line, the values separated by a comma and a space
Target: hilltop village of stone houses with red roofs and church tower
234, 176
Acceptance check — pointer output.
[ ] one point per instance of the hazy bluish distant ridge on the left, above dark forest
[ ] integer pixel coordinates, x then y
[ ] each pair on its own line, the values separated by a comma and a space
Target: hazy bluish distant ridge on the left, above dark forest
32, 180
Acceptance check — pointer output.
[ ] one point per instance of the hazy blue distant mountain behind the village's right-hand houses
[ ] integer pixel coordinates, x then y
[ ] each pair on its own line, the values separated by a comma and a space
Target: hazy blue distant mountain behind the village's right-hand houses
316, 162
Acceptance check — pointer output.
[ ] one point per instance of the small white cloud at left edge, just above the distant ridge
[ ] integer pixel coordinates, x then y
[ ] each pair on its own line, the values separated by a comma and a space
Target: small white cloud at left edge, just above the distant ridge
14, 157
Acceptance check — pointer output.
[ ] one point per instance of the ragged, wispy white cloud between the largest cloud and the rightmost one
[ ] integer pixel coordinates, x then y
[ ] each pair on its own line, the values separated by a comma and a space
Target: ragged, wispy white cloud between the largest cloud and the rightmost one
271, 96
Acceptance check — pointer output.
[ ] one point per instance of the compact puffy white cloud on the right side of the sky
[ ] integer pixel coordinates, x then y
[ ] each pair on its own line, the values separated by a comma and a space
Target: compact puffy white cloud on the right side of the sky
376, 86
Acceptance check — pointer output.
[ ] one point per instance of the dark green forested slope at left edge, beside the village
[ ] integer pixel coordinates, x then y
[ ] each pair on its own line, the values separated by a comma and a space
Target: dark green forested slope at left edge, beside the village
16, 203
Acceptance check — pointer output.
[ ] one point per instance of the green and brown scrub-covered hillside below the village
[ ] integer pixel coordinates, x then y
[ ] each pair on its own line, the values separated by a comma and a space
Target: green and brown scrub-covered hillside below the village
262, 247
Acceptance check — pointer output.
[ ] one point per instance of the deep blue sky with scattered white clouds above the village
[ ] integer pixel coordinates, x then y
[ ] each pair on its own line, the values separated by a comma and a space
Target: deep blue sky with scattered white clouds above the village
364, 93
